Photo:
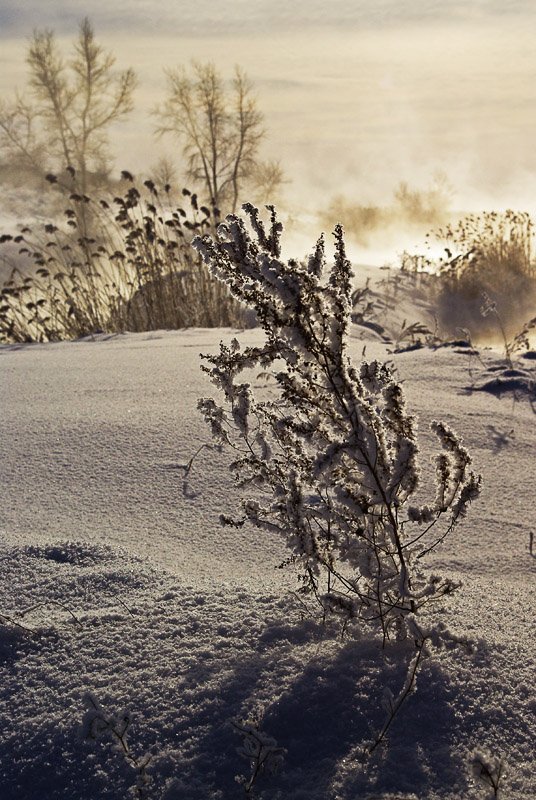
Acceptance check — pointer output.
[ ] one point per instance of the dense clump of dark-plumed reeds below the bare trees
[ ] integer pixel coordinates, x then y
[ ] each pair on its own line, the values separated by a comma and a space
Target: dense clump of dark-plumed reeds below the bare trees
137, 270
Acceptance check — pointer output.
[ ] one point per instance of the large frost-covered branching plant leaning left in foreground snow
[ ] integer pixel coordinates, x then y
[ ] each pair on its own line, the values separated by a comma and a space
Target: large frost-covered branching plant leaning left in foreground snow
330, 460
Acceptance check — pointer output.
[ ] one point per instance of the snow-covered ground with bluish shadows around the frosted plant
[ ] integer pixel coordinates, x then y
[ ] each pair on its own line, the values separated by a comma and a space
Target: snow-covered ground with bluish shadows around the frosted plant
190, 626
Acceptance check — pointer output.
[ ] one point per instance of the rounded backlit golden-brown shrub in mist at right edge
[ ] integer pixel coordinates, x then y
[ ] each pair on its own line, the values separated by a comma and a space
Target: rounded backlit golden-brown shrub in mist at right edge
490, 253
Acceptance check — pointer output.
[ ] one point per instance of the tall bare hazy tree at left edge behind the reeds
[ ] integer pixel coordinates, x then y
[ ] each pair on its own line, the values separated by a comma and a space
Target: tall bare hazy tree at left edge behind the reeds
63, 118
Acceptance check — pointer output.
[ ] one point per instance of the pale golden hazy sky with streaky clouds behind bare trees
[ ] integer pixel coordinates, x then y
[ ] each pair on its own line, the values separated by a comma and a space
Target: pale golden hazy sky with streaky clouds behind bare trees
357, 94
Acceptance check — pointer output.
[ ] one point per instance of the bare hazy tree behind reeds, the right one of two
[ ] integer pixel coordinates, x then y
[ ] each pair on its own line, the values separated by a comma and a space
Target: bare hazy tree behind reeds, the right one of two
220, 131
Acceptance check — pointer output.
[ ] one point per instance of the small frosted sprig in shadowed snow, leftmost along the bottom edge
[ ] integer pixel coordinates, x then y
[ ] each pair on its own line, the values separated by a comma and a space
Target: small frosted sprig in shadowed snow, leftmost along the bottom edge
98, 724
